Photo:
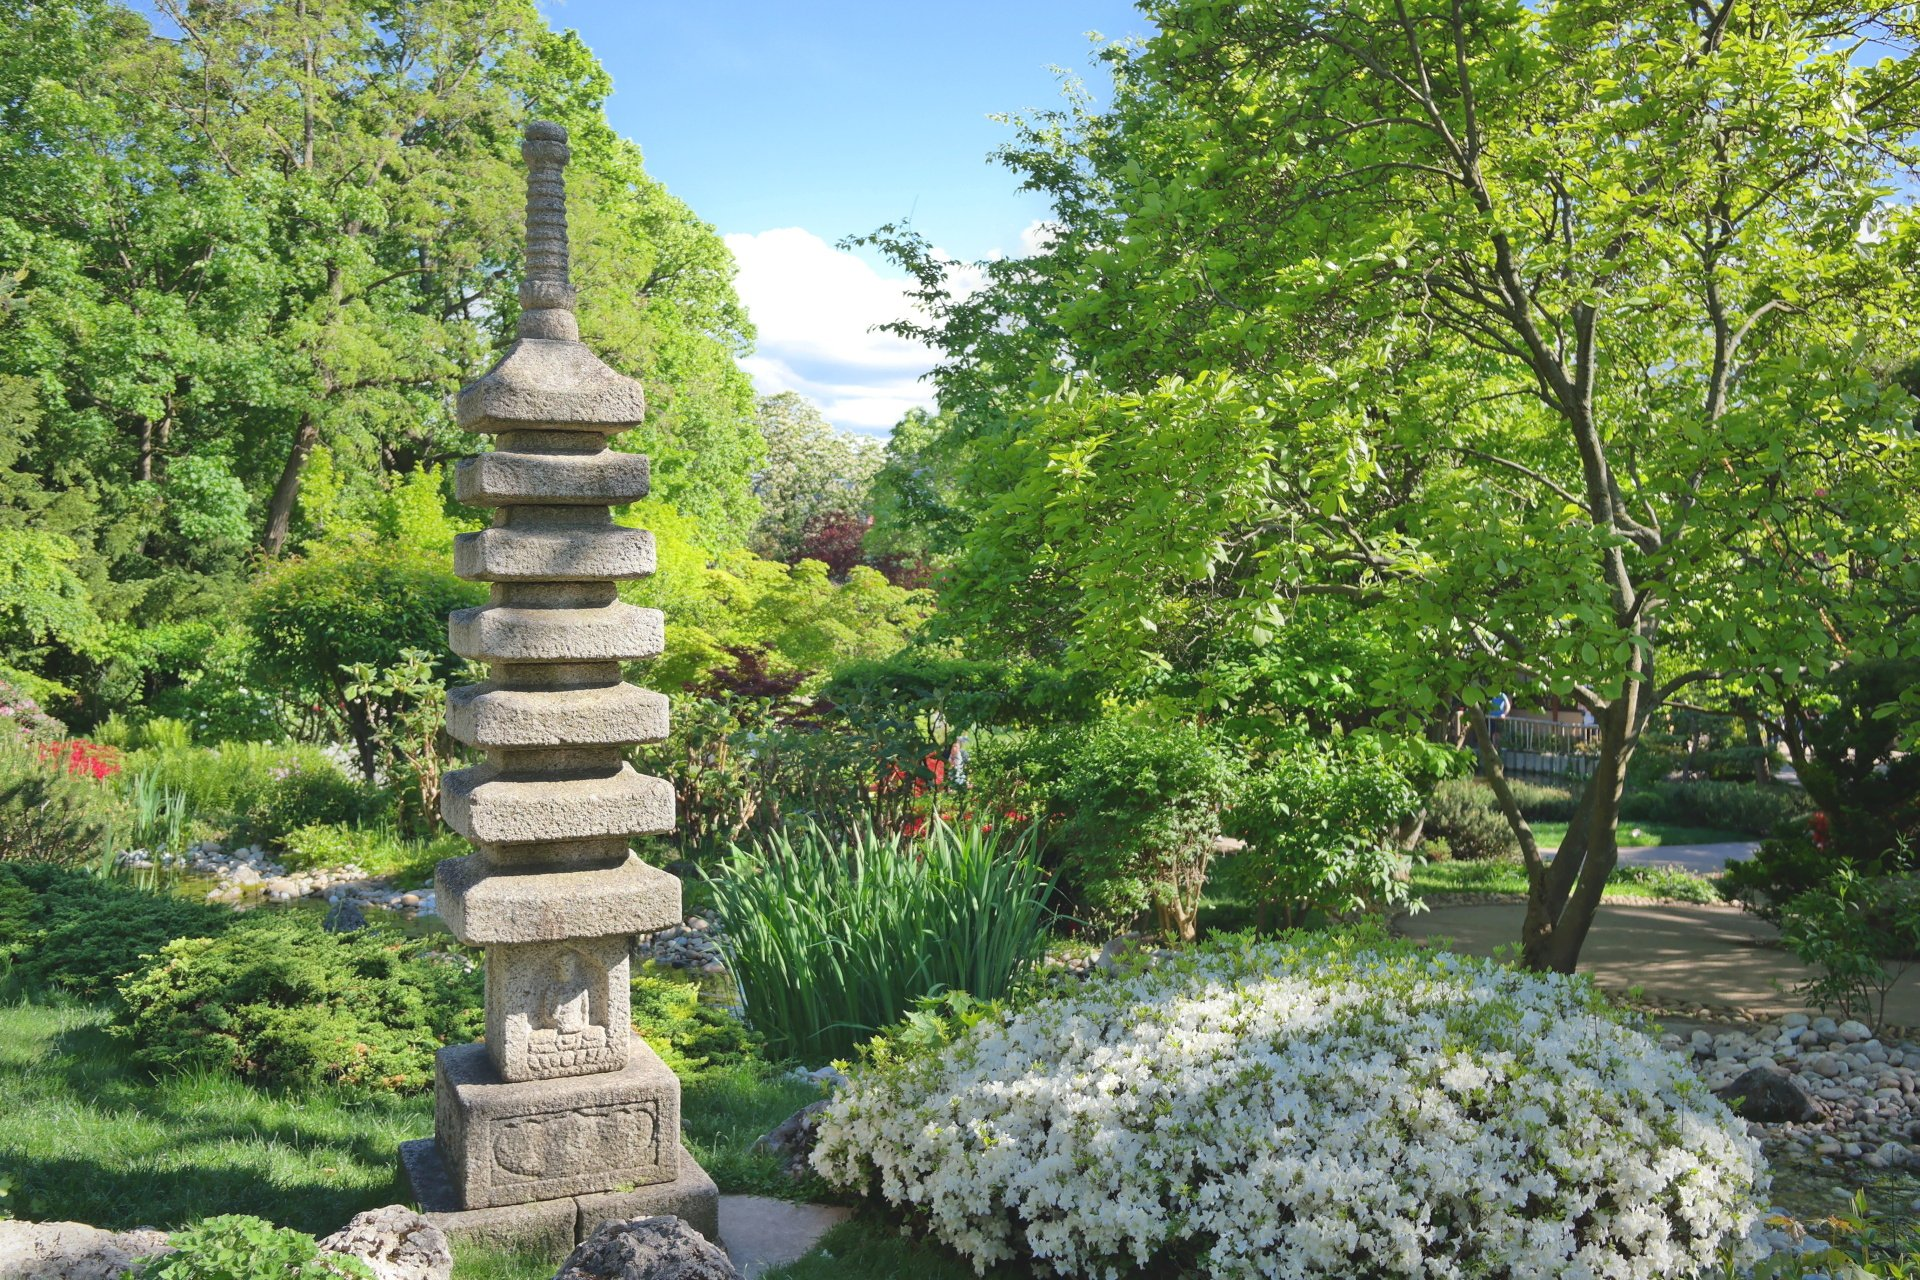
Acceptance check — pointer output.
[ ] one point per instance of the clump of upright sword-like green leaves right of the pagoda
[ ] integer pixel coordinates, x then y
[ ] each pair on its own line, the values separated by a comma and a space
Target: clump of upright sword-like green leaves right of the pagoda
830, 941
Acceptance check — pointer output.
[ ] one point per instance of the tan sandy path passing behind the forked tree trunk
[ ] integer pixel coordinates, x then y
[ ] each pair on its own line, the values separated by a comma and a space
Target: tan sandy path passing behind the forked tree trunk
1679, 955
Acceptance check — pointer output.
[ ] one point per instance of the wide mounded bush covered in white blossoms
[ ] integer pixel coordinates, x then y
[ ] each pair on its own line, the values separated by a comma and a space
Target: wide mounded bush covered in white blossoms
1307, 1108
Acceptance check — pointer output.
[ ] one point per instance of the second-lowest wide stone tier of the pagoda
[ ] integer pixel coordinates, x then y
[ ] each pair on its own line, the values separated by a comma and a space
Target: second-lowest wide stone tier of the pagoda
502, 809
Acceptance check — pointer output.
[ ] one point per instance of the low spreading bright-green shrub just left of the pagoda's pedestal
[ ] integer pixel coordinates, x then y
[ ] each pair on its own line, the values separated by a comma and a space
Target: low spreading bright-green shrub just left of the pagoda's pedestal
281, 1001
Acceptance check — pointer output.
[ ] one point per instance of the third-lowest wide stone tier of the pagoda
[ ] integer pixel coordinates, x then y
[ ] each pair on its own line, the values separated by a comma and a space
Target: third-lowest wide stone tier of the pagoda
608, 717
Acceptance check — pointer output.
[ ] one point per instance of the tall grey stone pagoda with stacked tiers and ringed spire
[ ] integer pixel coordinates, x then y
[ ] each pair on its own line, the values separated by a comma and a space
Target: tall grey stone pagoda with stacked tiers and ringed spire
564, 1118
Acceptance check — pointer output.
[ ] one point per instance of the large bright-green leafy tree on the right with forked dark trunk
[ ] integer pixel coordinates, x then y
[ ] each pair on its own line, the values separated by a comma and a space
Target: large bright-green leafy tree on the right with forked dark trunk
1552, 339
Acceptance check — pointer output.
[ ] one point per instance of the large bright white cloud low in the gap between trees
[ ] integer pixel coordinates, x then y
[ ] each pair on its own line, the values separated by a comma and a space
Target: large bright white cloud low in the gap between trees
815, 310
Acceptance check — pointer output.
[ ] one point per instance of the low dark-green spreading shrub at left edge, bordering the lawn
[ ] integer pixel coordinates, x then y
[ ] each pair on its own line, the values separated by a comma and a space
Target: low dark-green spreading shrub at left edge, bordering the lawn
82, 934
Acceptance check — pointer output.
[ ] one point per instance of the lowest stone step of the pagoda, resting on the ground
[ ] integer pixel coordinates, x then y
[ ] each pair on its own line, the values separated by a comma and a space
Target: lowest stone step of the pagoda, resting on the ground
554, 1227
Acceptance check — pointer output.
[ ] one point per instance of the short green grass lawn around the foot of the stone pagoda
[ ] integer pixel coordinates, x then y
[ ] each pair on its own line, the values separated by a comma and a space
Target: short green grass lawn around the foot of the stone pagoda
87, 1139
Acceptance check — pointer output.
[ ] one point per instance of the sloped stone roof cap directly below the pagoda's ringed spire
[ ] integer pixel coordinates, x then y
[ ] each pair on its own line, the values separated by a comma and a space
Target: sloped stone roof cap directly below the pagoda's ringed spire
550, 385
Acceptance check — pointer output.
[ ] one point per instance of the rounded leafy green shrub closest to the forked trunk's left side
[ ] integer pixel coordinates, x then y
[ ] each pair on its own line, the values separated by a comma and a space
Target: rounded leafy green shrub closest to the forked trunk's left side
1318, 824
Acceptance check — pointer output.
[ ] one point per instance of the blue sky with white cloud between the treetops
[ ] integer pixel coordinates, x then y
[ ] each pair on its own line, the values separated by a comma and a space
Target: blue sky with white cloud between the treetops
790, 126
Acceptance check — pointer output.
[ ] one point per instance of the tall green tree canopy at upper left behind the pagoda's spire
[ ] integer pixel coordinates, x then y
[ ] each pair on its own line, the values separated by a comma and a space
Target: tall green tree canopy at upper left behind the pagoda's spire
285, 225
